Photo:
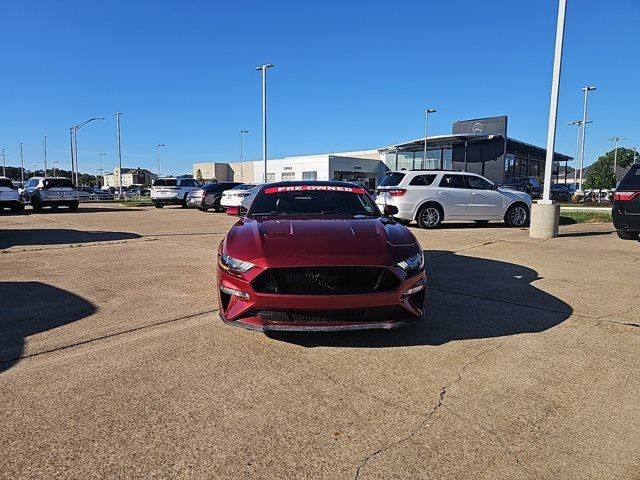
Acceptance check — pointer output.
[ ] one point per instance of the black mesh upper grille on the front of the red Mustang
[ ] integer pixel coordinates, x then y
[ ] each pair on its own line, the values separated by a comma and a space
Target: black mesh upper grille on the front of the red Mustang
326, 280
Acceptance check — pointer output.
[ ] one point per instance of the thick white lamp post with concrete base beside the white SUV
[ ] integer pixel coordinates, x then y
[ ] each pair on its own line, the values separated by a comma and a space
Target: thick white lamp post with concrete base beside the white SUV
545, 215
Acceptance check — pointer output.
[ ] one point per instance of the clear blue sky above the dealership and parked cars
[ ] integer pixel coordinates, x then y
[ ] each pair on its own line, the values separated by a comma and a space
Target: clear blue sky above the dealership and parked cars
348, 75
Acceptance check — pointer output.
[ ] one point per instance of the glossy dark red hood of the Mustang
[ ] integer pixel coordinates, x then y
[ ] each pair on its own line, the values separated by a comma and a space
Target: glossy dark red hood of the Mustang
320, 241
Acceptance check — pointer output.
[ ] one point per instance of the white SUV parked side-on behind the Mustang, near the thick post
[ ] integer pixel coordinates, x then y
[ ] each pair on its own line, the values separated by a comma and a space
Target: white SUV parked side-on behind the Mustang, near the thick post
431, 196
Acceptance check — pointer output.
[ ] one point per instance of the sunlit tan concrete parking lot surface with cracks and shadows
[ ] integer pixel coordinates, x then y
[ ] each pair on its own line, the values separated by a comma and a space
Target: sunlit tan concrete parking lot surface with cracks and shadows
114, 364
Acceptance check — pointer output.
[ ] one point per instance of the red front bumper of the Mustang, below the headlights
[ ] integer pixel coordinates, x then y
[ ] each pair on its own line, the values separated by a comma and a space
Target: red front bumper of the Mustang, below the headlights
280, 312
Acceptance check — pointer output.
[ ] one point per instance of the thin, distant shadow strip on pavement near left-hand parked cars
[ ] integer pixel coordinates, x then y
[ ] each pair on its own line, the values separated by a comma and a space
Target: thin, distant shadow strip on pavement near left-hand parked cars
58, 236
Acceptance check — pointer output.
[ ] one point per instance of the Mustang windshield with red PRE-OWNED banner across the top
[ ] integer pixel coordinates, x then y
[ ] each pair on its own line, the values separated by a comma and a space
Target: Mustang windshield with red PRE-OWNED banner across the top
313, 200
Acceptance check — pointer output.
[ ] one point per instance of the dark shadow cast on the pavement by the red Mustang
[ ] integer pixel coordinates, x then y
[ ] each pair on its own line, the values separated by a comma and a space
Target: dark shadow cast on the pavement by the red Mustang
467, 298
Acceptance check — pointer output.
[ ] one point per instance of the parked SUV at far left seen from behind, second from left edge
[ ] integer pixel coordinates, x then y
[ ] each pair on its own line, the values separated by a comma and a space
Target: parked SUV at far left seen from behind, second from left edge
52, 192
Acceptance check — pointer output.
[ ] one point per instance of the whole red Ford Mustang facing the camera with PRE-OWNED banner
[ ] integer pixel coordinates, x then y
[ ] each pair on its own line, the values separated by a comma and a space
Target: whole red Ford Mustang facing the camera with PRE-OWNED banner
319, 256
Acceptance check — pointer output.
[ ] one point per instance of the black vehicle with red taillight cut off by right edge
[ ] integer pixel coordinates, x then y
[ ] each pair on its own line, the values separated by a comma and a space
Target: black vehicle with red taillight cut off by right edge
626, 205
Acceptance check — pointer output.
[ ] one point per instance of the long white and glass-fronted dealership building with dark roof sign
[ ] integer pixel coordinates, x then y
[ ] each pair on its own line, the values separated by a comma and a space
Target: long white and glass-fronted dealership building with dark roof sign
478, 145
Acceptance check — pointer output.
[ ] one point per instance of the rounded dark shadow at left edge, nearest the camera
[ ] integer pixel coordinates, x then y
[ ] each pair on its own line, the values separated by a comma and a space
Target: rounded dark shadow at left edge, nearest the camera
29, 308
